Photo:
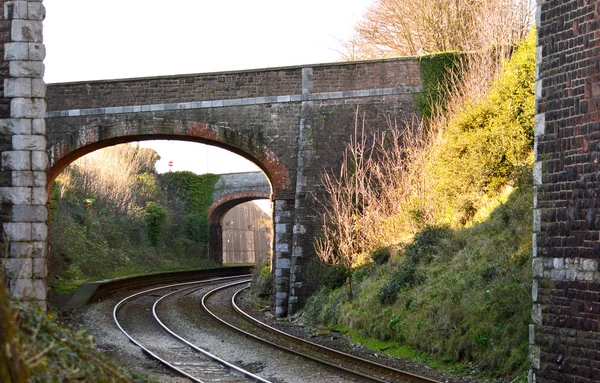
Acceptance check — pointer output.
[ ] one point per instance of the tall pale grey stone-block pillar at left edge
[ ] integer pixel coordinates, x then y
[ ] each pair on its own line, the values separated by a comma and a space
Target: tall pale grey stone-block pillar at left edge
23, 161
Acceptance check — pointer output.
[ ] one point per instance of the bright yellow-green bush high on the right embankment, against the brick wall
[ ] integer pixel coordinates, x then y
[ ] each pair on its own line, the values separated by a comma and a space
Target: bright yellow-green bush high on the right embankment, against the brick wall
484, 146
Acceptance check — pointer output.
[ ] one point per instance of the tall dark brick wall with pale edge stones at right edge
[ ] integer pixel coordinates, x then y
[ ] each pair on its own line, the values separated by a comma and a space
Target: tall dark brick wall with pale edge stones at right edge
564, 336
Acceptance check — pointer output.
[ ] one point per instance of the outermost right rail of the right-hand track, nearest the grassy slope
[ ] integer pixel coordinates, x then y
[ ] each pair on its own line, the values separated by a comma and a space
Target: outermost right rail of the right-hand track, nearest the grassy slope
355, 359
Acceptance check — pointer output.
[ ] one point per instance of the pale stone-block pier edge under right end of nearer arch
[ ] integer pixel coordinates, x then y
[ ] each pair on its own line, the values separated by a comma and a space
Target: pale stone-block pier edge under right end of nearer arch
284, 220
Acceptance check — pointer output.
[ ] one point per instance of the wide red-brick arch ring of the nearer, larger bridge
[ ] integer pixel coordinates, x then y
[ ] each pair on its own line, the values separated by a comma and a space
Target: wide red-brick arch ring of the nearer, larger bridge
96, 136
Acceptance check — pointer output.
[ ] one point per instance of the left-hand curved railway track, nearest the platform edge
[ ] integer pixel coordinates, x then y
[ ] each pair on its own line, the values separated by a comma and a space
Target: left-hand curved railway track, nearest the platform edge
169, 348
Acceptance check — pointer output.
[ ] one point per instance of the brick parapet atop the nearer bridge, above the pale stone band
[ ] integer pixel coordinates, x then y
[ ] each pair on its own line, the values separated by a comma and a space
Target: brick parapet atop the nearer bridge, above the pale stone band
338, 77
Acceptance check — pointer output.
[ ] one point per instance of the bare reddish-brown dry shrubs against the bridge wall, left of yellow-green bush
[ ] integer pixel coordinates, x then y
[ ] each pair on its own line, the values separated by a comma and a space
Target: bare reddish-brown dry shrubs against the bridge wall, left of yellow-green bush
375, 200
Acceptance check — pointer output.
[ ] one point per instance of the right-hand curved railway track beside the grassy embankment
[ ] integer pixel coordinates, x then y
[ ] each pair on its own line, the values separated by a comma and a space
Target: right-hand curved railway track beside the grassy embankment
365, 370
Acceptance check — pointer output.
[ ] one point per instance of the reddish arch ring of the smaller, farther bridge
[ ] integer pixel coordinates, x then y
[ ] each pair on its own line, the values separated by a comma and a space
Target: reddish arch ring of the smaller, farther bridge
216, 213
